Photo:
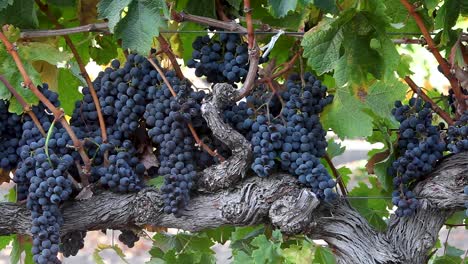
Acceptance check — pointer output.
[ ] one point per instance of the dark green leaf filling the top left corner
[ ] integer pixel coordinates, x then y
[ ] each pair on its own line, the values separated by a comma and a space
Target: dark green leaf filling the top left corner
21, 13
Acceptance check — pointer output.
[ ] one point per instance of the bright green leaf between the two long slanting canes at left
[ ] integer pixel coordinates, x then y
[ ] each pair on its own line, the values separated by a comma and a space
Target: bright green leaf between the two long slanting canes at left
68, 90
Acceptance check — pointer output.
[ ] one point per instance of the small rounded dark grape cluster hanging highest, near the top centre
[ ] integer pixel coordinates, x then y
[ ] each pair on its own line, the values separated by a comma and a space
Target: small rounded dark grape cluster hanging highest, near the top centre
221, 60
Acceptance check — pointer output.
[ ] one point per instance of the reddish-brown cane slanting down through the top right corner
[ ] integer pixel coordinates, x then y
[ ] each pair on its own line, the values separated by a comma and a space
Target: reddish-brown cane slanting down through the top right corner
433, 49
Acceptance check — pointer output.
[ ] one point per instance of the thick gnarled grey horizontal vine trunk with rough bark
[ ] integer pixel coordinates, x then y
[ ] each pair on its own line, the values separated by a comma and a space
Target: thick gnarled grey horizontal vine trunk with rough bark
280, 201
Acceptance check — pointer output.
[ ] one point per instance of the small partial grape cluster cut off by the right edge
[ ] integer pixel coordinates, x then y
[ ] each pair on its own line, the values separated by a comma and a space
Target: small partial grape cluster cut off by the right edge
457, 135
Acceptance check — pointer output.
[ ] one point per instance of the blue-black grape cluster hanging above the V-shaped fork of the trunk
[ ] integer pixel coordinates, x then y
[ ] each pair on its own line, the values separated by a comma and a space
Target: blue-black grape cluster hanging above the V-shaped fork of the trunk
420, 147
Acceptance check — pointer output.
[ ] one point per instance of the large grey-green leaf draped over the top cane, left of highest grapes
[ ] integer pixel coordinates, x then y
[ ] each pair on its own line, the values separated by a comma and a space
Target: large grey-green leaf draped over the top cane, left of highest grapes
140, 25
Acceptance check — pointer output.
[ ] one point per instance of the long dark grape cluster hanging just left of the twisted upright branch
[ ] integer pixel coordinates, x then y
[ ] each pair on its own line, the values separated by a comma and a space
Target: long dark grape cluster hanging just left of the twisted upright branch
167, 117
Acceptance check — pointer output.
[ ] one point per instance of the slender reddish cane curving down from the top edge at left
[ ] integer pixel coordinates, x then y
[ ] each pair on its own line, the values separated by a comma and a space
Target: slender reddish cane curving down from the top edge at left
44, 8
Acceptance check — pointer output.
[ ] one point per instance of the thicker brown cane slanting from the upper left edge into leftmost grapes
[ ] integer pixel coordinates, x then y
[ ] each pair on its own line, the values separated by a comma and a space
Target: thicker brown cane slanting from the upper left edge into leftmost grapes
58, 113
